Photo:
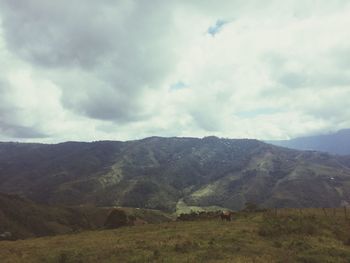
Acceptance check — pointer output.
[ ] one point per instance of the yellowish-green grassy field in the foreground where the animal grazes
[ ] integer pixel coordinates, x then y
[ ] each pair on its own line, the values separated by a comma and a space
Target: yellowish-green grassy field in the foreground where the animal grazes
255, 237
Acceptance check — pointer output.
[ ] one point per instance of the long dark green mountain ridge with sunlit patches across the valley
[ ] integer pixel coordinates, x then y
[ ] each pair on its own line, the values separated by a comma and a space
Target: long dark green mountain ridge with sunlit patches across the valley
158, 173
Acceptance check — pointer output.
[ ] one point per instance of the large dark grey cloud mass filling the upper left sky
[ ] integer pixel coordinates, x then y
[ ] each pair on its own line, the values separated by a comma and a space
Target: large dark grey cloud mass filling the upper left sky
117, 44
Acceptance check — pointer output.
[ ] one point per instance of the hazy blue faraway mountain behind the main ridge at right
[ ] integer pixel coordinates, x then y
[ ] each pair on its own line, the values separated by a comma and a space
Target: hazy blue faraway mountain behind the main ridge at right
335, 143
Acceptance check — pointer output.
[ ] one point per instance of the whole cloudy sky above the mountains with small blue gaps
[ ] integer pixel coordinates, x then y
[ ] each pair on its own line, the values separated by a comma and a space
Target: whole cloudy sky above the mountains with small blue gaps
89, 70
